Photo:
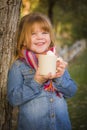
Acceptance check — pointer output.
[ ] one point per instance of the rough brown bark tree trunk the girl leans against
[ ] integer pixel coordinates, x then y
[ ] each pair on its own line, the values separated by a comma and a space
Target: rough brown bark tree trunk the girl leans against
9, 15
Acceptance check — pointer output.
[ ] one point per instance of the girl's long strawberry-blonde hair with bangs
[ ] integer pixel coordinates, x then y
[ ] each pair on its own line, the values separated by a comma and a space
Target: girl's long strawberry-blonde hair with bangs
25, 28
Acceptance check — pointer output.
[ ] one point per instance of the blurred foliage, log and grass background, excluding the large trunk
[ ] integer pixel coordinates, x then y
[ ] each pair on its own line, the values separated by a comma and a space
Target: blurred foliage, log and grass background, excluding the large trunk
69, 20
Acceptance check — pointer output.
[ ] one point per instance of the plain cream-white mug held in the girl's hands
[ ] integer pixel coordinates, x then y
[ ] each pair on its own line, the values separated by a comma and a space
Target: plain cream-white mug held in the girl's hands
47, 64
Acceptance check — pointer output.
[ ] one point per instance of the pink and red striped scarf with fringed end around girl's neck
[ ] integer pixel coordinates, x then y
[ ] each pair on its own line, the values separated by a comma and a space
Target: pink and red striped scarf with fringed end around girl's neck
32, 61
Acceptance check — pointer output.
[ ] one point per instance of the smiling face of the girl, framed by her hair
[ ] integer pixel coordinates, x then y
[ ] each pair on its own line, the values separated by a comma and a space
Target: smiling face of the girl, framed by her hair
40, 40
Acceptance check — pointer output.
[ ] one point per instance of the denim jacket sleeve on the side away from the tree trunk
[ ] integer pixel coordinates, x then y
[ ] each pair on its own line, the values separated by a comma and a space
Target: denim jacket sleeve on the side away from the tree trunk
65, 85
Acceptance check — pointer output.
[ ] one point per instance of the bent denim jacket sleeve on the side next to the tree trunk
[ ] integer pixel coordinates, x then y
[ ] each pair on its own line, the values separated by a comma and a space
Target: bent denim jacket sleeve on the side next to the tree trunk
17, 92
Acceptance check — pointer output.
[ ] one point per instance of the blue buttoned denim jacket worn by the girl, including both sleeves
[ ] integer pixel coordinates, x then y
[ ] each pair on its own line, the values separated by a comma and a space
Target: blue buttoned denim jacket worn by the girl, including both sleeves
38, 108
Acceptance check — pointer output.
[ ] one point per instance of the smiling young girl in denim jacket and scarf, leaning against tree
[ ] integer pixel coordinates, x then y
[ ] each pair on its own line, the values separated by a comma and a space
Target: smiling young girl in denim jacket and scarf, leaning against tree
41, 99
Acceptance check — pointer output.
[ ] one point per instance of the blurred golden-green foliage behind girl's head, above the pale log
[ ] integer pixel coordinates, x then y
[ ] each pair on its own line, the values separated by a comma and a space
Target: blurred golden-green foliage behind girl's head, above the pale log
69, 18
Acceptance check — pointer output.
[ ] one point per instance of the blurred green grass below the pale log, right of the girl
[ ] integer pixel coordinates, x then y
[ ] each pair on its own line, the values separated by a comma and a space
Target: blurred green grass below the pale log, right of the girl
78, 104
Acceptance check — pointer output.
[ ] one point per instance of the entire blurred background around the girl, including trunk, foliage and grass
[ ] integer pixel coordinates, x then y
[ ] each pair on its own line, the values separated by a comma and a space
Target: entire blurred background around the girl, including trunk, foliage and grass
69, 20
